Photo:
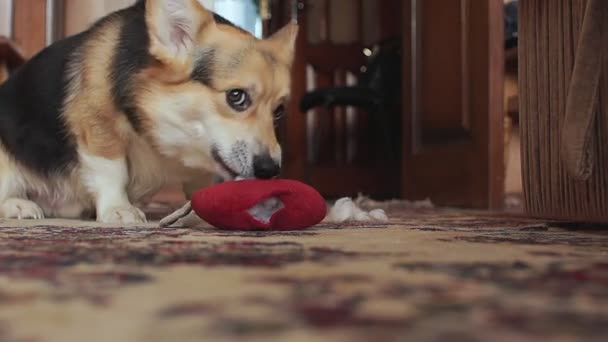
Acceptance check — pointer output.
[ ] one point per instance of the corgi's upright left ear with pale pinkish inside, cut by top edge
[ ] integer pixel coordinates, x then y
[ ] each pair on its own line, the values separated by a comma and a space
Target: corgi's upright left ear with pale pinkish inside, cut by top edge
173, 26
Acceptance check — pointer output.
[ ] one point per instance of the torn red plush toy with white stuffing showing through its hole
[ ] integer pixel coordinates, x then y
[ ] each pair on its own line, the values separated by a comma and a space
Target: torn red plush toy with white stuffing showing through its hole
278, 204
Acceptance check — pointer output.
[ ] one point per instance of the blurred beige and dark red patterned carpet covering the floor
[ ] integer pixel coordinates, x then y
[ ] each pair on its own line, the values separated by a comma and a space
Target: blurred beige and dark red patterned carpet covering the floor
429, 275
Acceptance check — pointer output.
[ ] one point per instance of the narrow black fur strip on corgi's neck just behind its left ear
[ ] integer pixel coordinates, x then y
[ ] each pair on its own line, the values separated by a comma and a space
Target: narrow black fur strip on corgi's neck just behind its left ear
132, 55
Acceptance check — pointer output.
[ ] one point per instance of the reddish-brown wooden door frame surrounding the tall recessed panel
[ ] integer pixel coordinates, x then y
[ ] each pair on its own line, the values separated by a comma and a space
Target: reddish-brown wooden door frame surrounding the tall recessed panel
426, 169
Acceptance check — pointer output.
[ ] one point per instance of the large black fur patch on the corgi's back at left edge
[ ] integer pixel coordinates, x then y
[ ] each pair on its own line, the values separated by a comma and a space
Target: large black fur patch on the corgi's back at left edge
31, 127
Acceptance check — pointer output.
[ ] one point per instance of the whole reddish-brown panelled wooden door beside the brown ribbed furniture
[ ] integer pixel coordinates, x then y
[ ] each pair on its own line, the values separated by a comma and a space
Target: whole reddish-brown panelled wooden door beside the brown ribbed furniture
453, 116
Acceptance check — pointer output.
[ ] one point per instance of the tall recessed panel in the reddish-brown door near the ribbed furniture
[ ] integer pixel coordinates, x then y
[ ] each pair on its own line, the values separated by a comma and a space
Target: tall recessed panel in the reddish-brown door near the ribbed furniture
443, 70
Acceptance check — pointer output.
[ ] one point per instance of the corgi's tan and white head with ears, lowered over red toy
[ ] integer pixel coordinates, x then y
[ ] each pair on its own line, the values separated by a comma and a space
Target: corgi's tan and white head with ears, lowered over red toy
214, 92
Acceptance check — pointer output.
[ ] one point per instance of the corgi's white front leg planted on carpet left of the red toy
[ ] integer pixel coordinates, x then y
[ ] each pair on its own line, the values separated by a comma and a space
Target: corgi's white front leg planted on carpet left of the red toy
106, 179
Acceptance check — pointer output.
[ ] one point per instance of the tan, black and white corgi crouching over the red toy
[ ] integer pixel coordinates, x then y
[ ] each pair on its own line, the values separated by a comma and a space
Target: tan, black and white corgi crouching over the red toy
162, 91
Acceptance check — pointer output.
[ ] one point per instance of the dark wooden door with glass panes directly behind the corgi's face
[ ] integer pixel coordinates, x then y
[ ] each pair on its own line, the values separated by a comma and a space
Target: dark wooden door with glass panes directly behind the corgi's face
332, 148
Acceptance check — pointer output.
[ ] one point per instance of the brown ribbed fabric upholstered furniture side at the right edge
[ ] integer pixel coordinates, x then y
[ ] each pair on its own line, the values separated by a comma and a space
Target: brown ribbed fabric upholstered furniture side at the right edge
564, 108
